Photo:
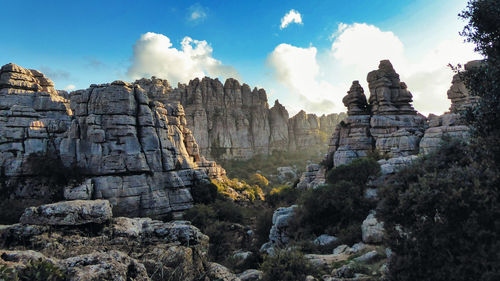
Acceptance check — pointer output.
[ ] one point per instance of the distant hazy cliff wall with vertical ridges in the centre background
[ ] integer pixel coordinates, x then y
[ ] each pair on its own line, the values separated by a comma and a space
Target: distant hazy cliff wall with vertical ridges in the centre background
233, 121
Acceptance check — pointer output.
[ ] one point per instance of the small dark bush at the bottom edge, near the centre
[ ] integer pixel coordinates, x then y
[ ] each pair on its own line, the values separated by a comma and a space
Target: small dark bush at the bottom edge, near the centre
287, 266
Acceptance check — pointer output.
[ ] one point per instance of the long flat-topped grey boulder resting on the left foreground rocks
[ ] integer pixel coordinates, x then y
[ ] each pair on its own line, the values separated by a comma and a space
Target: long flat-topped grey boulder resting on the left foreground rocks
76, 212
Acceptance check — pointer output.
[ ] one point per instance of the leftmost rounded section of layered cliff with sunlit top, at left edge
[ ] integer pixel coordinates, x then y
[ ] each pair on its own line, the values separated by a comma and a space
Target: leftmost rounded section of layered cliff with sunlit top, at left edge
33, 118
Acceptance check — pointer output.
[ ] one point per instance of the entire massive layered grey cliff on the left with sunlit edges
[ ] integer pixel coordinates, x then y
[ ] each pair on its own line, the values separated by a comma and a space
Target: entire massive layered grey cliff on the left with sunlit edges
138, 152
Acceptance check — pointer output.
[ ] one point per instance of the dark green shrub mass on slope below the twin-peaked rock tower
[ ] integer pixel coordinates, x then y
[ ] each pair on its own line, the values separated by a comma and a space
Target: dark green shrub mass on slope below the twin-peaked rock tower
339, 207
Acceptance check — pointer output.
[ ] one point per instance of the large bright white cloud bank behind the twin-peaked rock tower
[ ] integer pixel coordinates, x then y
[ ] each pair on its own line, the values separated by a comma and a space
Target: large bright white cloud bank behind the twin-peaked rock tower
323, 78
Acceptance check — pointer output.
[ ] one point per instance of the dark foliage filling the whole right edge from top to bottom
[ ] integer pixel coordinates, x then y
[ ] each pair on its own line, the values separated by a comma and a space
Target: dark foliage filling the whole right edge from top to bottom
442, 214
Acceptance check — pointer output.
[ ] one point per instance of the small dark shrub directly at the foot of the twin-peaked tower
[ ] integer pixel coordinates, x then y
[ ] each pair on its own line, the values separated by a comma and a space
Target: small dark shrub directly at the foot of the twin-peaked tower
358, 171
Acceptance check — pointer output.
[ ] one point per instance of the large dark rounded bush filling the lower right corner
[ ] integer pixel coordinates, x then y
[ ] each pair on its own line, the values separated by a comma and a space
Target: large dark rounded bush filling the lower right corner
441, 215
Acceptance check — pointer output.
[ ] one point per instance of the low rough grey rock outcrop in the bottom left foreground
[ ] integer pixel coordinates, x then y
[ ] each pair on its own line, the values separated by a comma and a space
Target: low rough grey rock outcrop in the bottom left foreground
109, 248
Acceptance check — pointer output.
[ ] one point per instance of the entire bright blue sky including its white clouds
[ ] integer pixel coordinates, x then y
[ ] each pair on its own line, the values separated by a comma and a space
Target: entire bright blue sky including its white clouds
308, 64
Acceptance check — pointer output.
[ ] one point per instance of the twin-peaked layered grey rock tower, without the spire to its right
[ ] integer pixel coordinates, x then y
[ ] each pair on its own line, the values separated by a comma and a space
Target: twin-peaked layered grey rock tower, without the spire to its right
388, 123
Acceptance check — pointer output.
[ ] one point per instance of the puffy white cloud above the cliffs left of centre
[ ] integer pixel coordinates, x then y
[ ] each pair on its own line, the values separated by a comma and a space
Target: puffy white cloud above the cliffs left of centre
154, 55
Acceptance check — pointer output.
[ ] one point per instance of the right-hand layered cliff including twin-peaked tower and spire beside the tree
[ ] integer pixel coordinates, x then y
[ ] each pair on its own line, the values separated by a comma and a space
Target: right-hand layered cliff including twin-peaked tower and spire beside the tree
389, 124
